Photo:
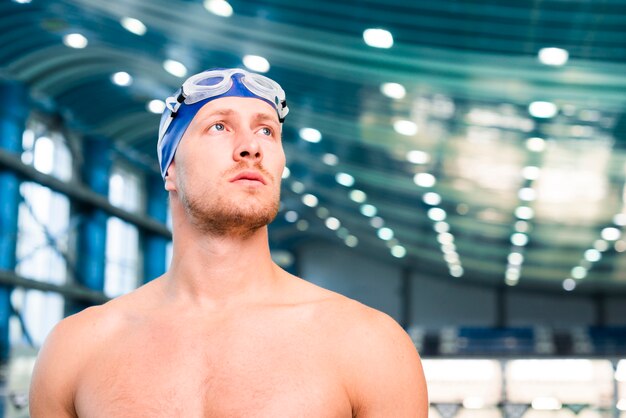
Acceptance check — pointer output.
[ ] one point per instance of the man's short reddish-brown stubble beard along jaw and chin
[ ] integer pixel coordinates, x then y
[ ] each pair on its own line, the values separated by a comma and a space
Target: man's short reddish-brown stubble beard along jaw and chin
223, 215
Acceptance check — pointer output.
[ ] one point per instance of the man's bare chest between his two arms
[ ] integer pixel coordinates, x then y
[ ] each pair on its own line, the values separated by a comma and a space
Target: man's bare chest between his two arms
212, 374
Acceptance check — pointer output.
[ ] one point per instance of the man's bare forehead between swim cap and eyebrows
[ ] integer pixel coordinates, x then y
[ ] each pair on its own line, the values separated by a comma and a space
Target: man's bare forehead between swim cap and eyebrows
243, 107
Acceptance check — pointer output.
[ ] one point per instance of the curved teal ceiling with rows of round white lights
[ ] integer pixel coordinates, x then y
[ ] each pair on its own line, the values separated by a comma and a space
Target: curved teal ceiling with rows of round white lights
470, 70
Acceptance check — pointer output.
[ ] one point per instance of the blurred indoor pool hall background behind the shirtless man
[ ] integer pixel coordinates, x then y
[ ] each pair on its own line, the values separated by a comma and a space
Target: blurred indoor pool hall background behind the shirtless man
460, 165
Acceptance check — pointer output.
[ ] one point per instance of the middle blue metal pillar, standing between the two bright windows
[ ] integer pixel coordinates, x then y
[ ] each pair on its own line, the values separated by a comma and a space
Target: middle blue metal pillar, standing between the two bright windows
91, 240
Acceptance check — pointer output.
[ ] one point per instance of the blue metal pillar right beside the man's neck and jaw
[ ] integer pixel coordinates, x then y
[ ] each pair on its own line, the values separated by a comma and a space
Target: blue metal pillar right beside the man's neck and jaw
155, 246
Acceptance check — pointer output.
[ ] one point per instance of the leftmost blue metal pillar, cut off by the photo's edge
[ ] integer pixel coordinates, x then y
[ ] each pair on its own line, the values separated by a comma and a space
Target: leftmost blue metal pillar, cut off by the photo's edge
13, 116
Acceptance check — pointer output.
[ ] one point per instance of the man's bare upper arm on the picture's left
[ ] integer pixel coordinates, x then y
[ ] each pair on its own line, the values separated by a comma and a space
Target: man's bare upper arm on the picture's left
54, 377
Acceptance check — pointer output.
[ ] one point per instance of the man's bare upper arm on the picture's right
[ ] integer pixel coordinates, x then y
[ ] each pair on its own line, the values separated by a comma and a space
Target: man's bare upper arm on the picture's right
388, 380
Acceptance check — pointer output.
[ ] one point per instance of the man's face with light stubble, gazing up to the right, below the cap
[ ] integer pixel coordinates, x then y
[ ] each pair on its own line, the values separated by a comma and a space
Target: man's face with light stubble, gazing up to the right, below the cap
228, 166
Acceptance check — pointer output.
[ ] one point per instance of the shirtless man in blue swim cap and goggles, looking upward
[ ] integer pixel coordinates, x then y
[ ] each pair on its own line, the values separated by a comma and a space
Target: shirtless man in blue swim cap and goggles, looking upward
226, 332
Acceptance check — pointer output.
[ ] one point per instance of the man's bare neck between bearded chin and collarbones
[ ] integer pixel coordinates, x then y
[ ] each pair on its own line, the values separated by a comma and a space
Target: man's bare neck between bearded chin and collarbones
216, 271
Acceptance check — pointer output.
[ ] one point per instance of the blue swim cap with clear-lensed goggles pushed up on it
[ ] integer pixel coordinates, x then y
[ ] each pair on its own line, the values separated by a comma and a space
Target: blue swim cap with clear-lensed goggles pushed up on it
209, 85
